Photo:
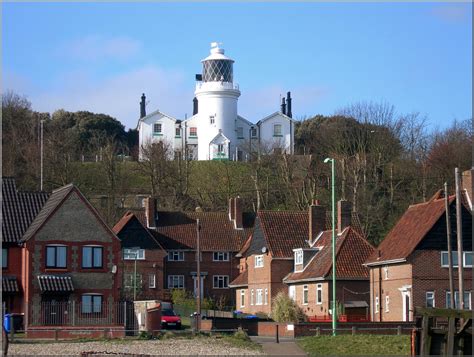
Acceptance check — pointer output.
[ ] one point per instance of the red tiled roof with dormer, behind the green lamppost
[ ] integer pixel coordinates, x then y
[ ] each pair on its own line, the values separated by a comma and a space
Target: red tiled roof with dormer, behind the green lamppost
352, 249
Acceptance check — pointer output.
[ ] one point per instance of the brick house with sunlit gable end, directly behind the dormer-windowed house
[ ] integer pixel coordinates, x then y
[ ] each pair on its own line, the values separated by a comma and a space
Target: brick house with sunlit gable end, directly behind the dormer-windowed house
268, 257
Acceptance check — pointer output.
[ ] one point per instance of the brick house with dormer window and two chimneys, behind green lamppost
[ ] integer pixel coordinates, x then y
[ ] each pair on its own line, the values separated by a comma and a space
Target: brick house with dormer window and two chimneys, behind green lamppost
310, 282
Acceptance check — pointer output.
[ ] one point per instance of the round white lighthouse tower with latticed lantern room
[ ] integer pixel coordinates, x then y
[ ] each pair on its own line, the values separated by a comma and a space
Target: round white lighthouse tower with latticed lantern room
217, 97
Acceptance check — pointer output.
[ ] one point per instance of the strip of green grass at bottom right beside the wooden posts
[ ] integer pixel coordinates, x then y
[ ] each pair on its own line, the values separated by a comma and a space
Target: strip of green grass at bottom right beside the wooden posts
345, 345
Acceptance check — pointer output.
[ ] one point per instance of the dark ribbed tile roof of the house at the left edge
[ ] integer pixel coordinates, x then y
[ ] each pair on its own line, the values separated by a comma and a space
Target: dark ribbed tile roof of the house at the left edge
18, 209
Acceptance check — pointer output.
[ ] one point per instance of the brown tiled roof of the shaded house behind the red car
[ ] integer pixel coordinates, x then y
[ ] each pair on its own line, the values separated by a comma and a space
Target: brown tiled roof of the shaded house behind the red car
177, 230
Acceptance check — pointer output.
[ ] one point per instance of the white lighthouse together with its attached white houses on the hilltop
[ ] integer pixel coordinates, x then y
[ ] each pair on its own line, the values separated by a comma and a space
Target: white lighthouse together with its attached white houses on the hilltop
216, 131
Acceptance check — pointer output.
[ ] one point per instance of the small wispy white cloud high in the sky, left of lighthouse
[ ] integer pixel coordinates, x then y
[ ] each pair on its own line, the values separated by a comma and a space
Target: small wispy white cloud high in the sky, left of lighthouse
97, 47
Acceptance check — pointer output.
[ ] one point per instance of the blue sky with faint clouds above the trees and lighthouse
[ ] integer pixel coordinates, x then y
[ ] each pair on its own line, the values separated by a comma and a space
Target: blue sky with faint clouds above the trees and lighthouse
101, 57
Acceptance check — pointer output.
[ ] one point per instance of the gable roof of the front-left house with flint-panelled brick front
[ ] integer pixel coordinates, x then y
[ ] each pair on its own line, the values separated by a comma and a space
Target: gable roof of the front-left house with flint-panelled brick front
54, 201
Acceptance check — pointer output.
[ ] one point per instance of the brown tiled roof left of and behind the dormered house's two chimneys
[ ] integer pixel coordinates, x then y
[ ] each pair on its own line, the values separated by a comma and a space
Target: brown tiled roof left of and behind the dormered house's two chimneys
288, 230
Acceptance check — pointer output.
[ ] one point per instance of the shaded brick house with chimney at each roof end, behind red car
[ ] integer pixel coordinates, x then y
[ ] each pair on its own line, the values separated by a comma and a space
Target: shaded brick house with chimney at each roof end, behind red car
222, 235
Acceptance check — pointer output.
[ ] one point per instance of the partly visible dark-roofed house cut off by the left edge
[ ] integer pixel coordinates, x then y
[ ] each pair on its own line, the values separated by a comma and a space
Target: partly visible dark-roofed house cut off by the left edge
18, 211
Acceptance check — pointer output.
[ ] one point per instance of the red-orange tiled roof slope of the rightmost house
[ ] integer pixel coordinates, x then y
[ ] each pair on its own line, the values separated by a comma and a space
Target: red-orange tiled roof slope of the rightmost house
410, 230
